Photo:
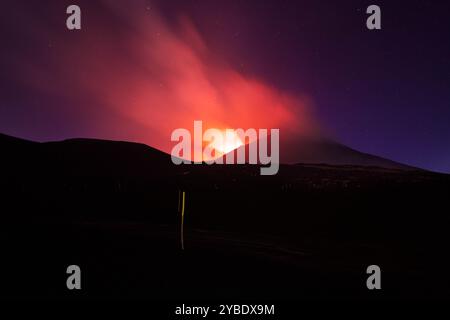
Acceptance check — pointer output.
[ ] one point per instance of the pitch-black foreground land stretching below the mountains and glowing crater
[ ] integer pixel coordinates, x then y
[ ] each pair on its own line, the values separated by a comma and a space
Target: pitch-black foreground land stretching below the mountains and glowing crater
309, 232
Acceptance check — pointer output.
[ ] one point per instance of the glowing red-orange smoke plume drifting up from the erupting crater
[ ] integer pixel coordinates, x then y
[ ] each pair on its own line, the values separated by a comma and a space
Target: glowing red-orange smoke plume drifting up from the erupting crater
142, 81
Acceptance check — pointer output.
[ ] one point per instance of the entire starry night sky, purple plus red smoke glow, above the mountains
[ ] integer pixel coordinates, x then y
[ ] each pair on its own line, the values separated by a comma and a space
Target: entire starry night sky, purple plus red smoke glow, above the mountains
139, 69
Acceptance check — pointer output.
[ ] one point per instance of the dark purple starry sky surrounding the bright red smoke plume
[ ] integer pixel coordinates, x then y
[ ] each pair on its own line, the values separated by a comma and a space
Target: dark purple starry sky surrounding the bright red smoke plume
384, 92
